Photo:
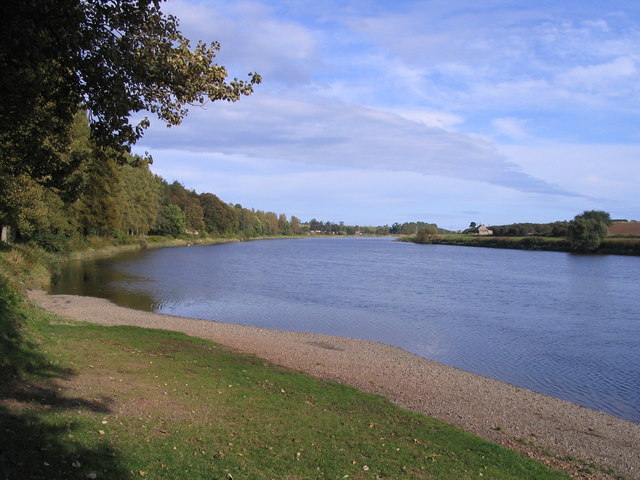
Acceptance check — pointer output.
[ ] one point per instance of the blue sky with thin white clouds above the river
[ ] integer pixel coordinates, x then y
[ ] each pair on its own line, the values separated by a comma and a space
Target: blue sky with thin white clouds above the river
447, 112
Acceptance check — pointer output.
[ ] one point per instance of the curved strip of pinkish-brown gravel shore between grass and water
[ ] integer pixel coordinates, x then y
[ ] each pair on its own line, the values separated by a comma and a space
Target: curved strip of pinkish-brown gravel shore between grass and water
540, 426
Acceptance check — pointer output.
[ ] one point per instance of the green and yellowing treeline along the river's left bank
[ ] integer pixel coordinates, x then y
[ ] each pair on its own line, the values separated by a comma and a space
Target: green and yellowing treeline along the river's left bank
104, 197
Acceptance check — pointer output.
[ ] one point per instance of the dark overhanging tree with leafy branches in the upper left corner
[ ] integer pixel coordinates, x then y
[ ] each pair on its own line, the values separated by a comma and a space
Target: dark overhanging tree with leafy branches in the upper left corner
111, 58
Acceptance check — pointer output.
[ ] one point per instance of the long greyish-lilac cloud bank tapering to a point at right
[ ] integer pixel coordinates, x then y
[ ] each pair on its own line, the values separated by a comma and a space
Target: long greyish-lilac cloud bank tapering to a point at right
318, 131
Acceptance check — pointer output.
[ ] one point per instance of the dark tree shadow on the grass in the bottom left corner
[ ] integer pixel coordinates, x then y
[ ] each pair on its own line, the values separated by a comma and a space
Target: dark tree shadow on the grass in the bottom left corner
35, 443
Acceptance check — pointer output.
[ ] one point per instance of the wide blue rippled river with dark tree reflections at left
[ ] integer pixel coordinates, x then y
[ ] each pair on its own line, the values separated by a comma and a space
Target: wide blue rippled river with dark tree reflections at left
561, 324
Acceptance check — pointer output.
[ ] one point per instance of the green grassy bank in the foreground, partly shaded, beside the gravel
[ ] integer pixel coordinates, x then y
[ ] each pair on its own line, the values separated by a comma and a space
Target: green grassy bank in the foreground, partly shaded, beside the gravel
81, 401
